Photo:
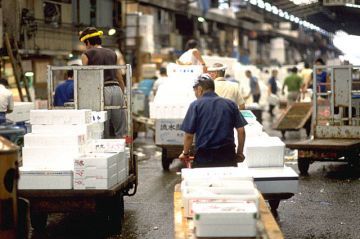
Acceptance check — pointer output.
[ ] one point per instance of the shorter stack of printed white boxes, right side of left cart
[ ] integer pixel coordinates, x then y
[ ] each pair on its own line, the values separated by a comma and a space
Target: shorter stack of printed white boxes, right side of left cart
103, 166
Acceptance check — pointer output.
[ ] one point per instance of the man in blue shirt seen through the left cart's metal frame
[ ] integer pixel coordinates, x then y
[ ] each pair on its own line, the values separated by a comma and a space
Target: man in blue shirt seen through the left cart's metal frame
65, 91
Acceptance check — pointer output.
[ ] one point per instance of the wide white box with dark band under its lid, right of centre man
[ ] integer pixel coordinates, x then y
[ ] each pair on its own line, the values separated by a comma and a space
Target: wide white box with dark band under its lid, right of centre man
275, 179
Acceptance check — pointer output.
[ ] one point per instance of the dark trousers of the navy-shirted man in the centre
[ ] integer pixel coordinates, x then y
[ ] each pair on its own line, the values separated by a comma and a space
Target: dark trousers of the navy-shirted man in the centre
221, 157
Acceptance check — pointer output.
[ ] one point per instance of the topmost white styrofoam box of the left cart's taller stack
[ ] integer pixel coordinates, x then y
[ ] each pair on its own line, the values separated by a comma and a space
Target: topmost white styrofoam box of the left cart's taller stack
60, 117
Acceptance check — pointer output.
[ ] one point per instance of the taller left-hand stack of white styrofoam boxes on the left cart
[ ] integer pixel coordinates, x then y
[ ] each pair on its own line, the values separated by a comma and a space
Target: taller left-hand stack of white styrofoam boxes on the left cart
48, 153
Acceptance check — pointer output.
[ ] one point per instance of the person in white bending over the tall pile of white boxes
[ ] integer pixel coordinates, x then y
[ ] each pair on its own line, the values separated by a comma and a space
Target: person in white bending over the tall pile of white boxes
192, 55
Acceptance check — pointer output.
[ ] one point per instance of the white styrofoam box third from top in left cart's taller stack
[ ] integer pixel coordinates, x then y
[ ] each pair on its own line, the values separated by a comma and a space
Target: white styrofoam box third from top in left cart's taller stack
39, 140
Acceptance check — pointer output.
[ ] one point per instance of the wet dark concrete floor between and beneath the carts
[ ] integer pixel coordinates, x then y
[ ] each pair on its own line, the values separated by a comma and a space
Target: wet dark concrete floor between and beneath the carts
327, 205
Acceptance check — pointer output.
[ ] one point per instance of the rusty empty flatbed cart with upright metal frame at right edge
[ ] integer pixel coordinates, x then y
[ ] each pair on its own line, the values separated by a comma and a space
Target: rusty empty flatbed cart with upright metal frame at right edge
335, 119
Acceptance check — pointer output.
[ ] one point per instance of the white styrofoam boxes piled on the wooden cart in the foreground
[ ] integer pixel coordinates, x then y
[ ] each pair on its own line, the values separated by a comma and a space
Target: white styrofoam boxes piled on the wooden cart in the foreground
224, 193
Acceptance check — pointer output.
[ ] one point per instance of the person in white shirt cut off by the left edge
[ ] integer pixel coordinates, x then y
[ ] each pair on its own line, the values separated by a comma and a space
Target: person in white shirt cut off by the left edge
6, 100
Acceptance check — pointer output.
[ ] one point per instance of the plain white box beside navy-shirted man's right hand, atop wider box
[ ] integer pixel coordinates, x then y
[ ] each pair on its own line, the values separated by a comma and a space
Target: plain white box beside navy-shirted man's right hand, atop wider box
264, 152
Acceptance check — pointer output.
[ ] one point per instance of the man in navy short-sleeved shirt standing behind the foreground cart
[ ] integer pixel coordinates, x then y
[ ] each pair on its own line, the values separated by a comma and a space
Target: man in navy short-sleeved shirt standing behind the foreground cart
213, 119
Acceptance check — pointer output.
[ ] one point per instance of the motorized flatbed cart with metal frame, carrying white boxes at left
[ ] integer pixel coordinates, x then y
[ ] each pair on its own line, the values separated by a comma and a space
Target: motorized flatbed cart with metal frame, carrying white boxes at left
107, 203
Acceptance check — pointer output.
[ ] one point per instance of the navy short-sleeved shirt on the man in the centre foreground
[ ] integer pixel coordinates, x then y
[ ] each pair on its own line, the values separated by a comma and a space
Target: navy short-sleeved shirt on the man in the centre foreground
213, 119
